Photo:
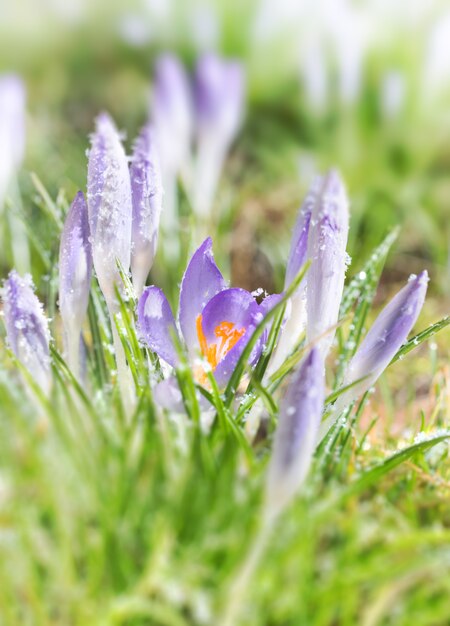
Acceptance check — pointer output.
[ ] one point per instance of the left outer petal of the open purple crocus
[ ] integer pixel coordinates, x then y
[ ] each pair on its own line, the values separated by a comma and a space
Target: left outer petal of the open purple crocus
156, 324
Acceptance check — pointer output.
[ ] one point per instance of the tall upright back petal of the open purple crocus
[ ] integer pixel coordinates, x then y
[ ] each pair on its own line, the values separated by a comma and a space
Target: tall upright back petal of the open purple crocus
201, 281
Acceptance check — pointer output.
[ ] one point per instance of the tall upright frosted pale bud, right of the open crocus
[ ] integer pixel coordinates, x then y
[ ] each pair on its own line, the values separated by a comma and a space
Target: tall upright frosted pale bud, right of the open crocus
326, 249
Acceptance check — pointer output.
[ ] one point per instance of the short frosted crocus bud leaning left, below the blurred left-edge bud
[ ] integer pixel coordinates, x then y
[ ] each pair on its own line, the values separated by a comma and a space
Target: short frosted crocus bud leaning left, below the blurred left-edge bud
27, 327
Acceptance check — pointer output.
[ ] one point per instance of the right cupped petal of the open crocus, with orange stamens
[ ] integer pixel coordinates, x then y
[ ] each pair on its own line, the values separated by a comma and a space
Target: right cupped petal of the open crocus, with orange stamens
228, 321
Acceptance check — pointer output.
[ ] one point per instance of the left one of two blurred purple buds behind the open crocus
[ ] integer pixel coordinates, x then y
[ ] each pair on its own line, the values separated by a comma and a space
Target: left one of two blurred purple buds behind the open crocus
172, 113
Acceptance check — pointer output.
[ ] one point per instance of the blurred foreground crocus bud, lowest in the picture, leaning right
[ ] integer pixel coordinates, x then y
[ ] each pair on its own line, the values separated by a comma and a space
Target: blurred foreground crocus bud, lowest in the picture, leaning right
296, 434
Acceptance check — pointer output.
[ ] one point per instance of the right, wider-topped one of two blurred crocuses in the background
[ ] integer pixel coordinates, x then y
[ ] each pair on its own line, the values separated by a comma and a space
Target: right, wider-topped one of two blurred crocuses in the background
219, 104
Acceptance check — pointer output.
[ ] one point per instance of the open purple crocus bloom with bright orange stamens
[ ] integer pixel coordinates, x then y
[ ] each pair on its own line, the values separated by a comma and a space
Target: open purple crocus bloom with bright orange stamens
216, 322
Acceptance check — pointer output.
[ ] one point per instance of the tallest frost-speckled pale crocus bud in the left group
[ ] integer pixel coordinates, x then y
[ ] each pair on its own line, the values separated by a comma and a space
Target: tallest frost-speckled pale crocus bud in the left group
109, 205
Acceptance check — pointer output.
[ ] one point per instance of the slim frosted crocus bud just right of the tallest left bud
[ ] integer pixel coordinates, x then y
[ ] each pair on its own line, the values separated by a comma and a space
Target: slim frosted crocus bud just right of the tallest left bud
146, 192
